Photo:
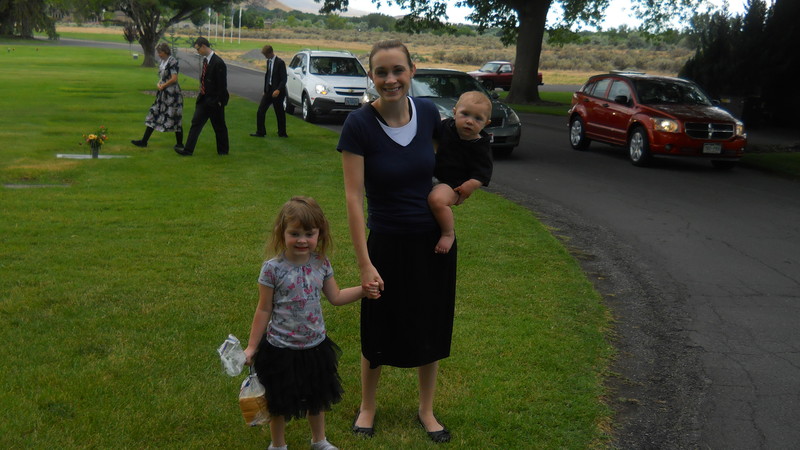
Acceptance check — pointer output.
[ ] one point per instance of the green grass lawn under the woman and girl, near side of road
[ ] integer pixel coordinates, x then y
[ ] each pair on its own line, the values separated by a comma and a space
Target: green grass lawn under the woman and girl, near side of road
120, 277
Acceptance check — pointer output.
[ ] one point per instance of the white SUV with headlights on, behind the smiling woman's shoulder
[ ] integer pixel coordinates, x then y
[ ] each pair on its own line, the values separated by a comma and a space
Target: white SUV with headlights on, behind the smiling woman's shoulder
324, 82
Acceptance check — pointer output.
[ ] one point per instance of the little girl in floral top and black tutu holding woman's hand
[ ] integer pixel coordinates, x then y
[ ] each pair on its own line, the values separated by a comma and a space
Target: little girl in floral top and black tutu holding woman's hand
294, 358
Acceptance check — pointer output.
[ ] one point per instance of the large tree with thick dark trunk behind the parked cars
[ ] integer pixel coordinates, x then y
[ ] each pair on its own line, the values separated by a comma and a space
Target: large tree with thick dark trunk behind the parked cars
525, 22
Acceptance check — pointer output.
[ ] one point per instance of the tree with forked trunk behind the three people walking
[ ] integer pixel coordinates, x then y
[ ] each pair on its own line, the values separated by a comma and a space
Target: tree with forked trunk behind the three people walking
152, 18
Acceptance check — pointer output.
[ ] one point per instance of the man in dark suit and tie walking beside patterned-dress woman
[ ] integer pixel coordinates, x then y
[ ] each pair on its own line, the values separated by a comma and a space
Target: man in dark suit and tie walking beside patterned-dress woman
211, 101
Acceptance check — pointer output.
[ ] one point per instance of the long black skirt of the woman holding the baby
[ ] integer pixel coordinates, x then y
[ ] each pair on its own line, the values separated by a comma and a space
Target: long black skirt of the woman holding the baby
411, 324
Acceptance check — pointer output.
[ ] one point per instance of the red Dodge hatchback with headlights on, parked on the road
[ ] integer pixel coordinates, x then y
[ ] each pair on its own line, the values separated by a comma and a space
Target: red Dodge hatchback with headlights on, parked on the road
654, 116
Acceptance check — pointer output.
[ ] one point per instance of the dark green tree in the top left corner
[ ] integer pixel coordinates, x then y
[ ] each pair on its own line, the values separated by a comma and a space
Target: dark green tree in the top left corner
23, 17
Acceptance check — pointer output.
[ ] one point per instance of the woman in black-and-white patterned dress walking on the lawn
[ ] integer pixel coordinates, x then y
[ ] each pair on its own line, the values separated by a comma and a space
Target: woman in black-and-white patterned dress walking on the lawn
167, 110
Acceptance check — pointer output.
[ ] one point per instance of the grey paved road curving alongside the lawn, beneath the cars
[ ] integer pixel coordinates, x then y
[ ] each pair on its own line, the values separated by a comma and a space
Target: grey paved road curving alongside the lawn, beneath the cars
701, 269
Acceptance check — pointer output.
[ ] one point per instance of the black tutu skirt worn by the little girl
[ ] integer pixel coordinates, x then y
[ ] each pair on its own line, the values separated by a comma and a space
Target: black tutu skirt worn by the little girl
299, 382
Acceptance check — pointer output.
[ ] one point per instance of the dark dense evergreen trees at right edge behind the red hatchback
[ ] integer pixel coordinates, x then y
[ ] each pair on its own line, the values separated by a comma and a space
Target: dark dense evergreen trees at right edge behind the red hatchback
753, 56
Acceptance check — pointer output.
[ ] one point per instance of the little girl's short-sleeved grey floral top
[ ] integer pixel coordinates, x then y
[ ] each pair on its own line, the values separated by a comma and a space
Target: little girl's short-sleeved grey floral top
296, 320
